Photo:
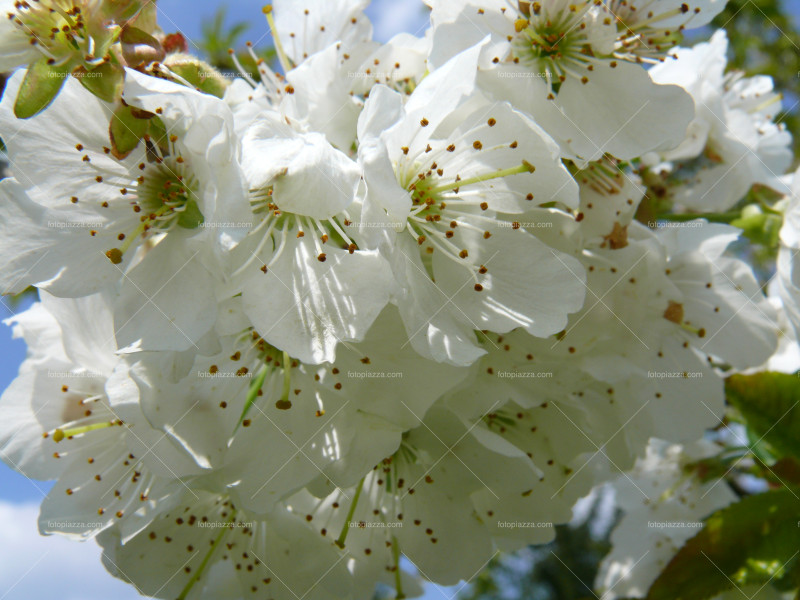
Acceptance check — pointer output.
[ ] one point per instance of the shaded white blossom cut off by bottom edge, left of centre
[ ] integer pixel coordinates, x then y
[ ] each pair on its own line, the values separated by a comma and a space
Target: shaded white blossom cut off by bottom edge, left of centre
207, 546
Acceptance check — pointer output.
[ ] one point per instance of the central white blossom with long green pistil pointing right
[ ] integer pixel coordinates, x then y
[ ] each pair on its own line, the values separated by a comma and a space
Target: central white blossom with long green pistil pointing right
447, 193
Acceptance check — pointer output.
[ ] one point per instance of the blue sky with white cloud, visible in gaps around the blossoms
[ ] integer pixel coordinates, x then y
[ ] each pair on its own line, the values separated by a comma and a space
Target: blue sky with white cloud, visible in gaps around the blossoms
37, 568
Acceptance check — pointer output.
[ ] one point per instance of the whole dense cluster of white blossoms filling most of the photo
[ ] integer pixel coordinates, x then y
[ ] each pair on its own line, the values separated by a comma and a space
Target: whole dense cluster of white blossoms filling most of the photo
377, 302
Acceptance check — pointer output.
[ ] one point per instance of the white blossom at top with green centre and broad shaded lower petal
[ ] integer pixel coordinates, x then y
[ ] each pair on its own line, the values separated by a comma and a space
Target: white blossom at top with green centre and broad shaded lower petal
556, 62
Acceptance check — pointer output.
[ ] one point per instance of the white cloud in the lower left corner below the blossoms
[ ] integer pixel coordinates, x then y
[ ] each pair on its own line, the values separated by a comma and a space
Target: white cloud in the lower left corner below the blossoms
38, 568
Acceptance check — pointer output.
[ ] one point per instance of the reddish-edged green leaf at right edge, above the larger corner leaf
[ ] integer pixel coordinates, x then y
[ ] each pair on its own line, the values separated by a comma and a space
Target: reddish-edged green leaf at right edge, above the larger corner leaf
770, 405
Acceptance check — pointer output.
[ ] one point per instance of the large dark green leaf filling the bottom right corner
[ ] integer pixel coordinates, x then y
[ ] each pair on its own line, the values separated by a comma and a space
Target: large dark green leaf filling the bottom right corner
751, 542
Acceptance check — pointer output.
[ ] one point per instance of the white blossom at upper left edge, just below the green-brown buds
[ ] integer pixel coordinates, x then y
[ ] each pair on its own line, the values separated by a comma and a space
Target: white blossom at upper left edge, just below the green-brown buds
153, 222
